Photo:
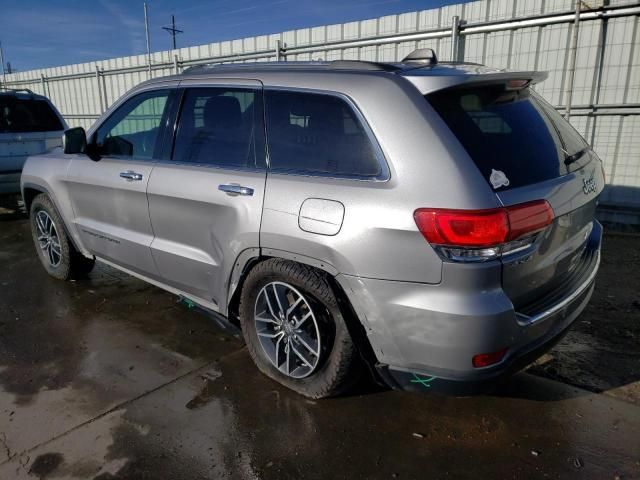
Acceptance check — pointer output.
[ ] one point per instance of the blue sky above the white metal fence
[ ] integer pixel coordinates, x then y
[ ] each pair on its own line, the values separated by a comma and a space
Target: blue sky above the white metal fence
46, 33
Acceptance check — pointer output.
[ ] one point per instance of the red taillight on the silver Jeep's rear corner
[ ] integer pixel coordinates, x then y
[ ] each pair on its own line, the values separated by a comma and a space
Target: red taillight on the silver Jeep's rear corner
483, 234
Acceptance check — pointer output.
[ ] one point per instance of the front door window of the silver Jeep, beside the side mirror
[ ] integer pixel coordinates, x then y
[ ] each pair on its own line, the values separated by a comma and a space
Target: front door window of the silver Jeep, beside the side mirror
132, 130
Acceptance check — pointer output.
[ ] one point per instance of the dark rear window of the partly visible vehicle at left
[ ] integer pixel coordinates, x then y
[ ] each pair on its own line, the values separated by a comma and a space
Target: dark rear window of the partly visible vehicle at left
27, 115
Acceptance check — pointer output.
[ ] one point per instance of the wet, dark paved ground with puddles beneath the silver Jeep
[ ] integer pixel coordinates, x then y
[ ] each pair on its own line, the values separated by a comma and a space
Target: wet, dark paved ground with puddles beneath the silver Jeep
110, 378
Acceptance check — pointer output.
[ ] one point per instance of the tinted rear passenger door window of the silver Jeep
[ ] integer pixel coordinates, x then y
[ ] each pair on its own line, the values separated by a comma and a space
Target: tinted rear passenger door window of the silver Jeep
221, 126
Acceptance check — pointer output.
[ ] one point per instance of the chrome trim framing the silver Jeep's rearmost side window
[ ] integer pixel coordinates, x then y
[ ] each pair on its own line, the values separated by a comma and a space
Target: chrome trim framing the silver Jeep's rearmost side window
385, 173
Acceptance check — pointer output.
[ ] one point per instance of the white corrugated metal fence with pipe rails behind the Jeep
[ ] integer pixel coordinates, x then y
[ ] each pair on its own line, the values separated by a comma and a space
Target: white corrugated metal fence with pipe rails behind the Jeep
516, 34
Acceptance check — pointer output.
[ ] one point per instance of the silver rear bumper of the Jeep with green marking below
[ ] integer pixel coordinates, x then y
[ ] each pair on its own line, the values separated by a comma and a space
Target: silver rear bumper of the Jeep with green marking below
425, 336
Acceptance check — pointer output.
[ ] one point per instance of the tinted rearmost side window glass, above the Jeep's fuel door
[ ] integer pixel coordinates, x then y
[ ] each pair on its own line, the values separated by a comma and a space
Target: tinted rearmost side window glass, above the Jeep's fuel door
318, 134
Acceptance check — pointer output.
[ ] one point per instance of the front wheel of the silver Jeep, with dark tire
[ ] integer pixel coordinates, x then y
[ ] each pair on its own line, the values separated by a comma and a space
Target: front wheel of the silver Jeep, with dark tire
56, 253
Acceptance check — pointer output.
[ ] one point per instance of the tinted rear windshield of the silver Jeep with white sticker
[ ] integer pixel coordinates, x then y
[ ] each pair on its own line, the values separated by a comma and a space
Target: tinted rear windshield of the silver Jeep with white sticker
514, 137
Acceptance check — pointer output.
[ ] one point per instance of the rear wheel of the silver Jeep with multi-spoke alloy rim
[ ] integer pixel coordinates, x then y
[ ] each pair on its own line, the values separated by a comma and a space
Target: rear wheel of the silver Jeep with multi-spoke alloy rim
295, 331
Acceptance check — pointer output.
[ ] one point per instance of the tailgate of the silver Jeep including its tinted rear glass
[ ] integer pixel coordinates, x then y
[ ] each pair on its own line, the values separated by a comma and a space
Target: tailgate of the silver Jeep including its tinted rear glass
527, 152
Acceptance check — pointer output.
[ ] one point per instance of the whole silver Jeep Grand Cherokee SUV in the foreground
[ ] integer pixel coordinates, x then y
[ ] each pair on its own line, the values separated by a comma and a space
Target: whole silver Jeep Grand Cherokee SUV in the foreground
431, 221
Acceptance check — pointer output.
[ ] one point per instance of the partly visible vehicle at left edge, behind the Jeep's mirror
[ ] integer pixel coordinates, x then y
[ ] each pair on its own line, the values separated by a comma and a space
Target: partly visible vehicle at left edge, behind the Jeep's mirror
29, 125
